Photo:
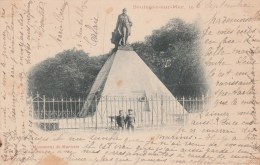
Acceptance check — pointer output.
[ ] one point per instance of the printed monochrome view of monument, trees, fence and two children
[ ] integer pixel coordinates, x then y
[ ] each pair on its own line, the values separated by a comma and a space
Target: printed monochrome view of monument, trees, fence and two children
158, 82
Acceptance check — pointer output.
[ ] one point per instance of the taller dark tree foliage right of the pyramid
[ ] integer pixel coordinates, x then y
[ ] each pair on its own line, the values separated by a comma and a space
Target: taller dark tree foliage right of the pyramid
173, 52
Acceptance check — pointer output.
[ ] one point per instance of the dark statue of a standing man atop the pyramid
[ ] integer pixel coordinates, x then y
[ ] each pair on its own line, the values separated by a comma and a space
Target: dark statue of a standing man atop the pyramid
123, 29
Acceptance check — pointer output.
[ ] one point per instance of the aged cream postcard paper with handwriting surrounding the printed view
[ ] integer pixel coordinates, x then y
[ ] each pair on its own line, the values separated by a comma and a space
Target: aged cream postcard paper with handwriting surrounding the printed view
227, 132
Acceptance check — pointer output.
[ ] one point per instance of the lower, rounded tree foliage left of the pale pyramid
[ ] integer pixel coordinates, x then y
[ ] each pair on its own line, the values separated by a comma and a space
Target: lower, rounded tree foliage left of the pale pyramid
69, 74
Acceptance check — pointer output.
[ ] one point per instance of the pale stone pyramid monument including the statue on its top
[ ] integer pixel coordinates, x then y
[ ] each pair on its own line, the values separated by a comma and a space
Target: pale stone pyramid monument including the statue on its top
126, 76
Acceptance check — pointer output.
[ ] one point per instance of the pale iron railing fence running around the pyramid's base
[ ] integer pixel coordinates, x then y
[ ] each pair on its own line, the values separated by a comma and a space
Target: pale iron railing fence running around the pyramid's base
158, 111
